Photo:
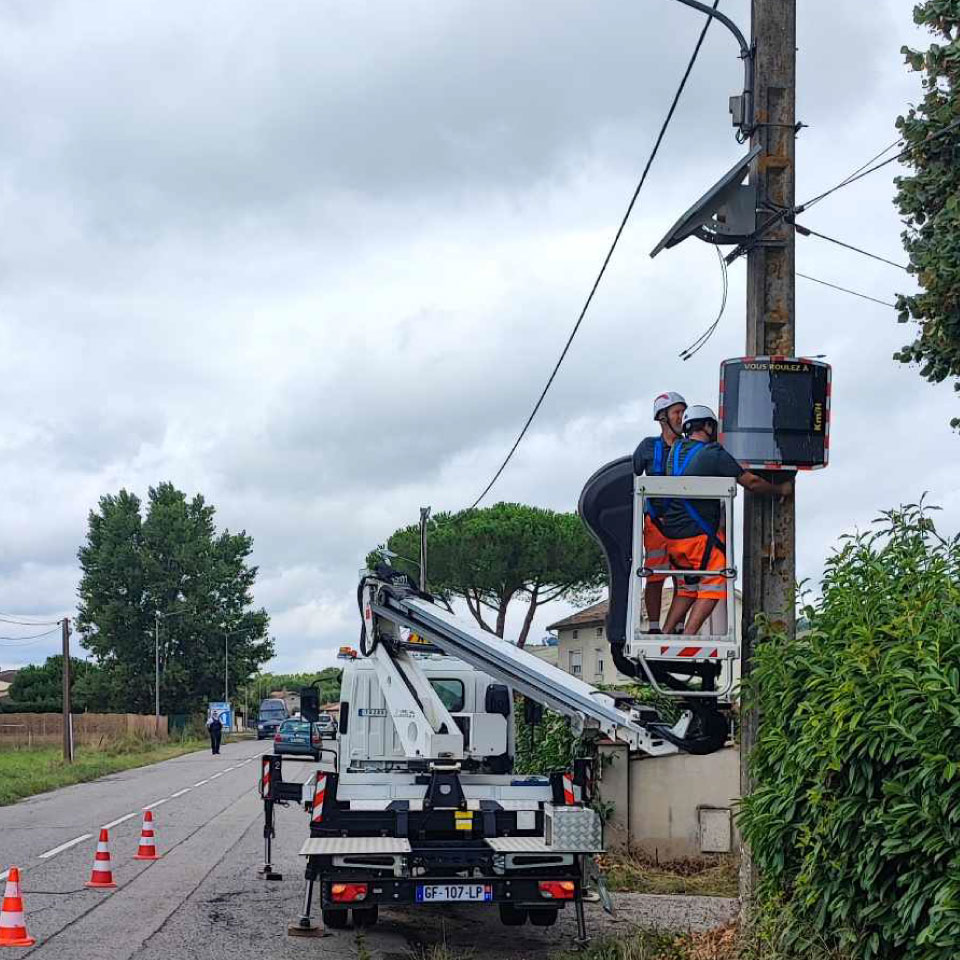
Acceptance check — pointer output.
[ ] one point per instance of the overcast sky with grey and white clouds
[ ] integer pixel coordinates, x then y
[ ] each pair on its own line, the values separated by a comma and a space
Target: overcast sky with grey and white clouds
316, 260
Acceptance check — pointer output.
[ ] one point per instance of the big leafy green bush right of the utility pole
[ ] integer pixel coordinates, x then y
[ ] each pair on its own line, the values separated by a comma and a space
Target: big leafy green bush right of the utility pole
855, 819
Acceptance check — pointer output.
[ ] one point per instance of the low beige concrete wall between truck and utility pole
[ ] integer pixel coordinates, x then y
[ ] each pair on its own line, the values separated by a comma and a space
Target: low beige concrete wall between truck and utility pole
671, 807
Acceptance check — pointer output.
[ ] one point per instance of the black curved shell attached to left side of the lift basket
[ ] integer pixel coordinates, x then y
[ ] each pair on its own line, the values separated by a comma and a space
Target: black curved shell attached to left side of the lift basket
606, 507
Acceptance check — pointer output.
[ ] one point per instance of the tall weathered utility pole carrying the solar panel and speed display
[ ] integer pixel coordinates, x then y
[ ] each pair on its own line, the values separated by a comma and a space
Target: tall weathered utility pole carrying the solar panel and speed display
769, 525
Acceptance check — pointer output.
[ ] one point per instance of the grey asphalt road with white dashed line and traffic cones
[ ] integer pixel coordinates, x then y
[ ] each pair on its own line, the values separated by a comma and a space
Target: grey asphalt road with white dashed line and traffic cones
203, 899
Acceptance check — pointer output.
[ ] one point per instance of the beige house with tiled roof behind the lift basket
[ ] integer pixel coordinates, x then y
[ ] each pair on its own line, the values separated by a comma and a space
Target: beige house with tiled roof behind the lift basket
583, 649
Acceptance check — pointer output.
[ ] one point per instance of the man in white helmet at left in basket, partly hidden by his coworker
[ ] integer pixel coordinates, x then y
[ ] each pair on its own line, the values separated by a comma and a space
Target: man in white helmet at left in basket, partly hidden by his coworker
650, 458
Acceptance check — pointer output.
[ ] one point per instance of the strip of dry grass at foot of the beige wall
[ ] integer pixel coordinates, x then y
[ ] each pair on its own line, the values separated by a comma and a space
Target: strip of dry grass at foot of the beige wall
702, 877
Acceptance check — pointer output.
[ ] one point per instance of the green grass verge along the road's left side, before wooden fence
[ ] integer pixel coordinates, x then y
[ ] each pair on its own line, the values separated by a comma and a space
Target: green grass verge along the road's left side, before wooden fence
28, 771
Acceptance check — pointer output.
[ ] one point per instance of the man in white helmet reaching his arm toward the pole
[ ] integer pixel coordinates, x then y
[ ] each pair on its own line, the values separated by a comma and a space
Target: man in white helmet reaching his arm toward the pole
693, 527
